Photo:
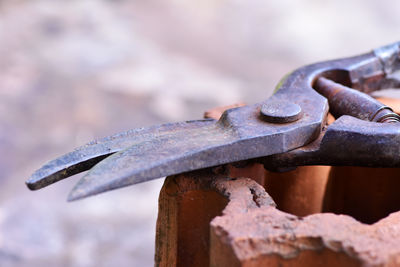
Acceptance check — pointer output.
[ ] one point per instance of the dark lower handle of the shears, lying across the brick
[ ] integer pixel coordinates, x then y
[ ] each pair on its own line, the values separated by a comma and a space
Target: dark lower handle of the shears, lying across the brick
347, 142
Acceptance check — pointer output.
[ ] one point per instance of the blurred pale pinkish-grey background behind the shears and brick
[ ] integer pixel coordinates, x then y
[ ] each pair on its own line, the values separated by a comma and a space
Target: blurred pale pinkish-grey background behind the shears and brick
72, 71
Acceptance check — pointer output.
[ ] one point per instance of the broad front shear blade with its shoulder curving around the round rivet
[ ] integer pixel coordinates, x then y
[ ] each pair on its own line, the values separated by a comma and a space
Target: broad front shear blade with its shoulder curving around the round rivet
238, 135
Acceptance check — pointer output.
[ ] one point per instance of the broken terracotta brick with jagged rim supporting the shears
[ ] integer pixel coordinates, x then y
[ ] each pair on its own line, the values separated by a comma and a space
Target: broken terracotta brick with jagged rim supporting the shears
246, 229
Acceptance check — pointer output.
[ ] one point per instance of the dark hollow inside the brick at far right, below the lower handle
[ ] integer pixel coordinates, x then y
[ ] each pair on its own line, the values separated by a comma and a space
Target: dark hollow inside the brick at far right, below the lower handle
367, 194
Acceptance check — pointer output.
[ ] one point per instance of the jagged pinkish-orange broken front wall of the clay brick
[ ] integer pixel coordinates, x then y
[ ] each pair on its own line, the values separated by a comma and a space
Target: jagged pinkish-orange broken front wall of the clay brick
258, 235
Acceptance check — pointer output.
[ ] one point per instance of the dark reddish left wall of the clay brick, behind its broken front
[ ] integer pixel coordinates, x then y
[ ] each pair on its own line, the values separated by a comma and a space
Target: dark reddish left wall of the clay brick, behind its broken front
187, 204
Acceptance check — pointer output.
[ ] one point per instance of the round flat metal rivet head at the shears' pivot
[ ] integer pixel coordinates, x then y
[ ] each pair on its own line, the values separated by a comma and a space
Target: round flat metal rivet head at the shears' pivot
280, 111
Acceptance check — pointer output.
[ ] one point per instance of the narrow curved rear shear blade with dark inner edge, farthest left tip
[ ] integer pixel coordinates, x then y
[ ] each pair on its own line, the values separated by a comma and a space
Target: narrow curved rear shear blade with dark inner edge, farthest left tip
85, 157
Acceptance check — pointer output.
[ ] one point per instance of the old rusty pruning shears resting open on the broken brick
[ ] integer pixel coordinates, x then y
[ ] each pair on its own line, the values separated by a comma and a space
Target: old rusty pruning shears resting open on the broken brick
287, 130
